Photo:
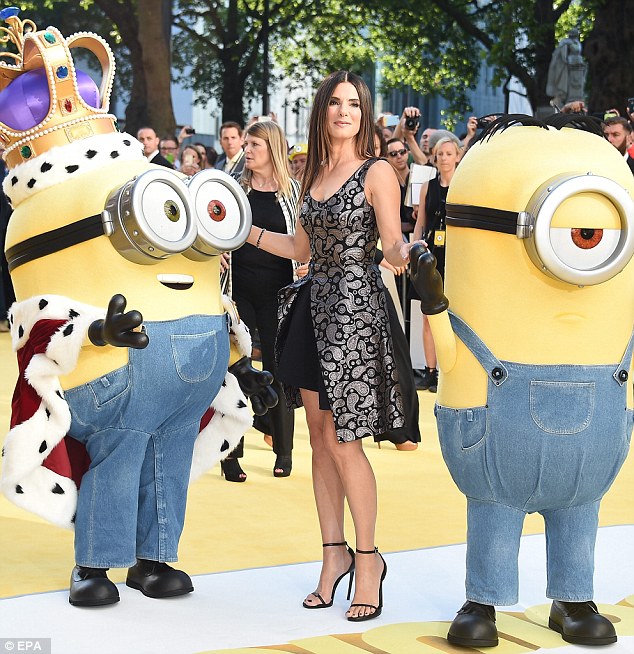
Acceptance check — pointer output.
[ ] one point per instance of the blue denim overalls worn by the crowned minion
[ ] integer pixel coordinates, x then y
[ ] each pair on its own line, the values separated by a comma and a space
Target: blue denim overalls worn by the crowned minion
139, 424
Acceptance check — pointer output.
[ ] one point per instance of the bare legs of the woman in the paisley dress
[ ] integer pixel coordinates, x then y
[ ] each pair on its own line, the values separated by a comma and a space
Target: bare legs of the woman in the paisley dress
342, 470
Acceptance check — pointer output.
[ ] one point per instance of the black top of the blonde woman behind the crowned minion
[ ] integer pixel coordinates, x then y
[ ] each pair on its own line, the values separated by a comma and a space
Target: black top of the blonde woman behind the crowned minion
252, 266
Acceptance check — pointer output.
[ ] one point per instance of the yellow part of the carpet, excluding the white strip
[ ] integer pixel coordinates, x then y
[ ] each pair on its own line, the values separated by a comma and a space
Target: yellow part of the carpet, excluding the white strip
268, 521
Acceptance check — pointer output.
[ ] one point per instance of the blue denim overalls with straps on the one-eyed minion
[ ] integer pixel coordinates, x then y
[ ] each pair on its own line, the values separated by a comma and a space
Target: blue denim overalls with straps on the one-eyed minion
550, 439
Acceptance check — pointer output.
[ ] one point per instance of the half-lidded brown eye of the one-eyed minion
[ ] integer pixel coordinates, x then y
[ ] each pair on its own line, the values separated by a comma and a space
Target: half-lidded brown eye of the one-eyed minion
584, 249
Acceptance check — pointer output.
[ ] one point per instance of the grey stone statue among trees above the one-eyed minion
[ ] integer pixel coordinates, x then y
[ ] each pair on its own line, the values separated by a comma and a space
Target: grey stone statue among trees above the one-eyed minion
567, 71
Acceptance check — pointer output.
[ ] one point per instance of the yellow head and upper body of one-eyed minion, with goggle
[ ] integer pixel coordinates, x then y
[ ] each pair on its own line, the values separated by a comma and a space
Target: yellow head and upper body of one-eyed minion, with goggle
540, 244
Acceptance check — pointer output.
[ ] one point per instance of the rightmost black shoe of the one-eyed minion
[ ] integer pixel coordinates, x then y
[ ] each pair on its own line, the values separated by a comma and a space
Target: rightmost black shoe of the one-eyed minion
581, 623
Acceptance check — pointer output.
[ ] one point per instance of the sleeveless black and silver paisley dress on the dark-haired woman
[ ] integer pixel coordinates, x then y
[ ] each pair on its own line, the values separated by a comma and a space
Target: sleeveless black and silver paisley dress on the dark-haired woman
334, 334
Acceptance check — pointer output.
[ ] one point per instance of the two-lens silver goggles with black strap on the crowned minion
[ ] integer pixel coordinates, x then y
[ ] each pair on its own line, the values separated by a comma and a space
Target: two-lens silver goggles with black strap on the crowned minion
154, 216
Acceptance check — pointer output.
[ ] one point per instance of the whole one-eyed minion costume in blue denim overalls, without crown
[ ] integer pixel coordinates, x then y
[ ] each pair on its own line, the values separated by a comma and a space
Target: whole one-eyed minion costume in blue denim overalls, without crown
534, 407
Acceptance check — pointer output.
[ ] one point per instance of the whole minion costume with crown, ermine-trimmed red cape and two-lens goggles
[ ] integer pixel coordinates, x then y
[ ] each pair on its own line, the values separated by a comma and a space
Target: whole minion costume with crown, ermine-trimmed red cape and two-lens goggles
109, 403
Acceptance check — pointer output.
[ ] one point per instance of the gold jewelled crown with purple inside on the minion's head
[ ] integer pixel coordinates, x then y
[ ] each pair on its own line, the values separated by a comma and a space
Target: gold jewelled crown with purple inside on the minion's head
69, 117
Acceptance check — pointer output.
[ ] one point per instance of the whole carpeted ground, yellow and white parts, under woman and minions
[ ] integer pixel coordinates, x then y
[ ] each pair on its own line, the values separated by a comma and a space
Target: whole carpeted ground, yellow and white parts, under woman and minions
255, 547
